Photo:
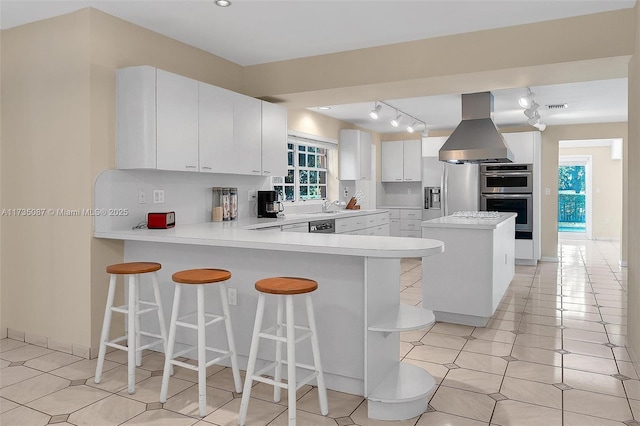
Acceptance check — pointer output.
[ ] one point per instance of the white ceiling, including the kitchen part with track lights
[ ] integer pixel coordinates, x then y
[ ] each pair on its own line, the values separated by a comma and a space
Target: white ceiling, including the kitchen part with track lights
261, 31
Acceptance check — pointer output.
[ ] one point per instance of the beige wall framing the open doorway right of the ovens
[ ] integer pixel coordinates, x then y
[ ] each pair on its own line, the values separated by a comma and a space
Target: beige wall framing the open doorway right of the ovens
550, 152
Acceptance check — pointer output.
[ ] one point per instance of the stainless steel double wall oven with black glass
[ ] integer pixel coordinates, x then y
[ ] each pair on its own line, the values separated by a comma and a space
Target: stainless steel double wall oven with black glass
509, 188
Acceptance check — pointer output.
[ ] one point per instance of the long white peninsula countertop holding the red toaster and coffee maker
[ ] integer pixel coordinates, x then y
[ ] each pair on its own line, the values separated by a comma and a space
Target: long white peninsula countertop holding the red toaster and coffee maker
246, 234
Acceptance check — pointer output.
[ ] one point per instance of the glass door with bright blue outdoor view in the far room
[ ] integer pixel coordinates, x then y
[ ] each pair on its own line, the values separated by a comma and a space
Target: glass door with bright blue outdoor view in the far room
574, 197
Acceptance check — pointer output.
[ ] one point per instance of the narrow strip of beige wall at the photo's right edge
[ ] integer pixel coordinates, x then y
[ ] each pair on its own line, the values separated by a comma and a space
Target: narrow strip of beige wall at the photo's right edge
633, 196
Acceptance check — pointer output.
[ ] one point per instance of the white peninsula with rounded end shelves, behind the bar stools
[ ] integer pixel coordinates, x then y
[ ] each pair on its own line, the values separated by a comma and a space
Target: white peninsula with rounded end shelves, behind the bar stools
357, 304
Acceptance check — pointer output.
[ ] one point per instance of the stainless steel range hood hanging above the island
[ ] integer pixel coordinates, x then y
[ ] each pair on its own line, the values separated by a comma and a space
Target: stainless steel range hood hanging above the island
476, 139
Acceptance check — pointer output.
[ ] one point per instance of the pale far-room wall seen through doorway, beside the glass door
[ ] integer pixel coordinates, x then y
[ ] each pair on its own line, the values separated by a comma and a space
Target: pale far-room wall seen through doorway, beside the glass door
606, 191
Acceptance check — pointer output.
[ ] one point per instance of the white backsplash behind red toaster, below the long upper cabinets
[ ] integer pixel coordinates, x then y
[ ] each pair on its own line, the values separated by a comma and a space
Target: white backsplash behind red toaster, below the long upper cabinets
188, 194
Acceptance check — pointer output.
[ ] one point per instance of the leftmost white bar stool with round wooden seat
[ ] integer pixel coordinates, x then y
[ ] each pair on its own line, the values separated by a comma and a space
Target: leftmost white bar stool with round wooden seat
131, 272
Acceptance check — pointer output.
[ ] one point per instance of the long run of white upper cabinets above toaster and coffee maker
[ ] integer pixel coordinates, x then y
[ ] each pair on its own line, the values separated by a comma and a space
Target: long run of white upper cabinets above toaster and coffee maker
170, 122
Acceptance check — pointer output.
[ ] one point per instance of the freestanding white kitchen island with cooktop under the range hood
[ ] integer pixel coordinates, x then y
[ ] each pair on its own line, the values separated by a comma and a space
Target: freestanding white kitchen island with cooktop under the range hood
465, 284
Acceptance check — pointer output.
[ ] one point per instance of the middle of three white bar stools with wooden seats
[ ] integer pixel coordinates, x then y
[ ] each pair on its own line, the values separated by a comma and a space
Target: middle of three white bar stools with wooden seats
199, 278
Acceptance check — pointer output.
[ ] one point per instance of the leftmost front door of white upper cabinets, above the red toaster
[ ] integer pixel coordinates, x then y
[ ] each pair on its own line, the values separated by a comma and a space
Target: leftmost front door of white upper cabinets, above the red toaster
176, 122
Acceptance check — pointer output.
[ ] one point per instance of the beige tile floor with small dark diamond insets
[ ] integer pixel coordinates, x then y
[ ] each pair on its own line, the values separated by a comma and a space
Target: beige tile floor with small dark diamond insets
553, 354
